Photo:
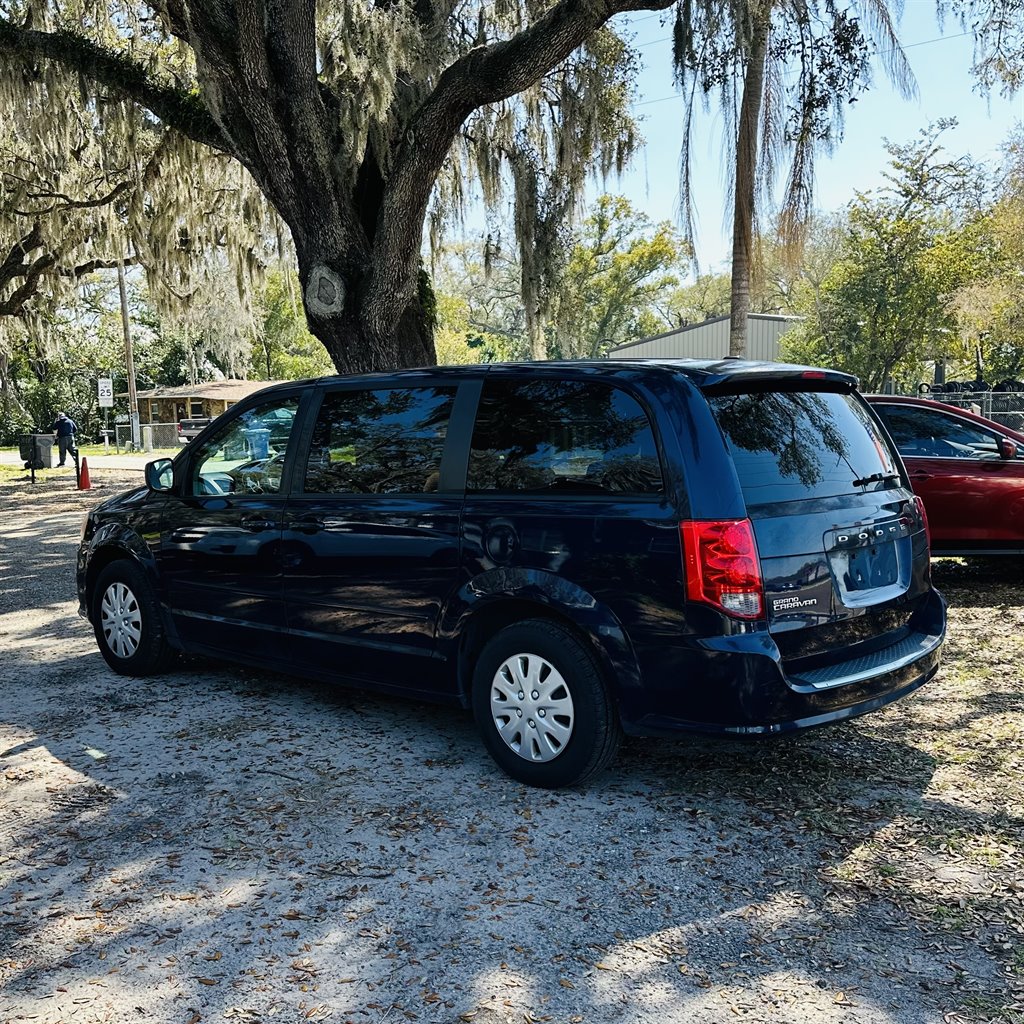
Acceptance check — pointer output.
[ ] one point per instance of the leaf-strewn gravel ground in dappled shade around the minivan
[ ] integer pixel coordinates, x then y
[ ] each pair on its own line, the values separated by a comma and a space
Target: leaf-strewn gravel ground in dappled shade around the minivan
224, 845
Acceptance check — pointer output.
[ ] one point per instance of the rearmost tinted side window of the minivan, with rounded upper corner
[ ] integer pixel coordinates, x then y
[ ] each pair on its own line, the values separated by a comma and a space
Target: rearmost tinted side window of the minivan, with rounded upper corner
563, 437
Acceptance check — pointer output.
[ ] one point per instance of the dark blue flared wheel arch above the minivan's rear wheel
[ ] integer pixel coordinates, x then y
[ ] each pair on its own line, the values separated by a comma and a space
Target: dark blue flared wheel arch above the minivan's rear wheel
500, 596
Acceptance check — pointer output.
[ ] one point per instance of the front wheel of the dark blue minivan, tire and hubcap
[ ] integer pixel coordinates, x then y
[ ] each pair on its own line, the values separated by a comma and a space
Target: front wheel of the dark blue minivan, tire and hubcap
127, 623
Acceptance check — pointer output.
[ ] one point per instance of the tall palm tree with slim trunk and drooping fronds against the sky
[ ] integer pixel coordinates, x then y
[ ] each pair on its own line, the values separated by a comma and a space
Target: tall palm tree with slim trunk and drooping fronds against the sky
785, 71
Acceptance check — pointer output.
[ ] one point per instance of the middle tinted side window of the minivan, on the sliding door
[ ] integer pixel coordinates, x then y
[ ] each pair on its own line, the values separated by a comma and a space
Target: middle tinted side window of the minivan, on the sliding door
382, 442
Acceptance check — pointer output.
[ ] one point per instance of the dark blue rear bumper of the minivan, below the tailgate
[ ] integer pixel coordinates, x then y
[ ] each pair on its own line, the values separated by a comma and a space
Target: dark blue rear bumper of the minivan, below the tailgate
739, 687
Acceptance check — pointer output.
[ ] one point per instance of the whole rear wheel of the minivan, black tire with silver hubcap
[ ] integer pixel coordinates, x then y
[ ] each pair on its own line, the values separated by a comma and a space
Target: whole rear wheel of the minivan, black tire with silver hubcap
565, 729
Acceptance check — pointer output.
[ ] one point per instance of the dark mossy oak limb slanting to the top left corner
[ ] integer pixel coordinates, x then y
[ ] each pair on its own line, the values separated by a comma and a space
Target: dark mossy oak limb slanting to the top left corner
176, 108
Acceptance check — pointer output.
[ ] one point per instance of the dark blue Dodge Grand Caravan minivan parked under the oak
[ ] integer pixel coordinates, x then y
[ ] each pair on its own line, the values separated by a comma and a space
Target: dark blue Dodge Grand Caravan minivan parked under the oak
571, 549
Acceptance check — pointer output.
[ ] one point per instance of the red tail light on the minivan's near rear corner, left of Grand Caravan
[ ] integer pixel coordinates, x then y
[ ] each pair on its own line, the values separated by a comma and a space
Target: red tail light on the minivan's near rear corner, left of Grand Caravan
722, 568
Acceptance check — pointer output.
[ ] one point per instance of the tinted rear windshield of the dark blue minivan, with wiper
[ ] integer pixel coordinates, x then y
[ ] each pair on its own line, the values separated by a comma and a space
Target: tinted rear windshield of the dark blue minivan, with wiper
790, 446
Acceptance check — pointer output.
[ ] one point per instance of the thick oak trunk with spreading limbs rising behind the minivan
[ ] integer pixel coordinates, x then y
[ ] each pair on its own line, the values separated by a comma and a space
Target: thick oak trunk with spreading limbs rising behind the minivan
262, 97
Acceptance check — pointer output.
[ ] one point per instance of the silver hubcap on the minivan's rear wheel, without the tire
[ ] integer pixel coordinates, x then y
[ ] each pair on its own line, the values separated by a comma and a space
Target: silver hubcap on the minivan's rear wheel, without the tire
532, 708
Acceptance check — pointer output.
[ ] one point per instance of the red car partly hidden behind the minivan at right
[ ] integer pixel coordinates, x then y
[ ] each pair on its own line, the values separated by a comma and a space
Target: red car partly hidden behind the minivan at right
968, 471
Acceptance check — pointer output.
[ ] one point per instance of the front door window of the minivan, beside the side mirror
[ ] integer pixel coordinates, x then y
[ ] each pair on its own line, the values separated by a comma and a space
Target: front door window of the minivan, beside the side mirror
247, 456
